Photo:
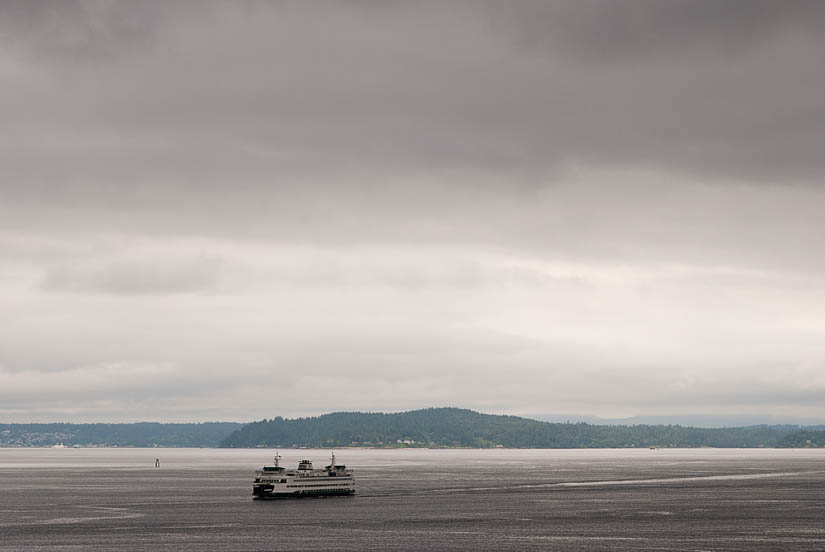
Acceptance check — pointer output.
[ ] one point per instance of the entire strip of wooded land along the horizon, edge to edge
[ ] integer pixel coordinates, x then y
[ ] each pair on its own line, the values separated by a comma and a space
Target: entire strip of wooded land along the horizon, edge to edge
433, 427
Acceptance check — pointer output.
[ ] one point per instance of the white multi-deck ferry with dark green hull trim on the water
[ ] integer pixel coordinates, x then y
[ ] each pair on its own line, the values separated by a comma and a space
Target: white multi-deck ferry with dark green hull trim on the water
278, 482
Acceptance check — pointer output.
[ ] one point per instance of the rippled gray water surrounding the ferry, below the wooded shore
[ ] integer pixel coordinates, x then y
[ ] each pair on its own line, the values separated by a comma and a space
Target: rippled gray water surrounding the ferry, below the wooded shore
199, 499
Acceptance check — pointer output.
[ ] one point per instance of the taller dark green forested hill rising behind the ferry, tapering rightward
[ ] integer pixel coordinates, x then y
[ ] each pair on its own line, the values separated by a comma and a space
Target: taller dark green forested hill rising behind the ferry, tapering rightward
453, 427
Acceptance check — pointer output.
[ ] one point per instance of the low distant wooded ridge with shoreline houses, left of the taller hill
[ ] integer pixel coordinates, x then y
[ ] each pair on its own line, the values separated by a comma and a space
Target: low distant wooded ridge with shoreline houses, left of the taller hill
144, 434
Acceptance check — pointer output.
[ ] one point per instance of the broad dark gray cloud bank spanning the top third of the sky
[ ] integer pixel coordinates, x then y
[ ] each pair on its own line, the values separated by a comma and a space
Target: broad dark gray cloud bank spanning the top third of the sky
264, 91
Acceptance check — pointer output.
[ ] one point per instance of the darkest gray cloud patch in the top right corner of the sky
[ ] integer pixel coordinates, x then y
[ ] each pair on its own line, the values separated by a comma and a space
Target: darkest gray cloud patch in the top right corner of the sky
602, 32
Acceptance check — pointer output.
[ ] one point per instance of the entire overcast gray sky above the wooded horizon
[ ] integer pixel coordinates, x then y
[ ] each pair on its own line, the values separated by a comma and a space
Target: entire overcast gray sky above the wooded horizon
242, 210
